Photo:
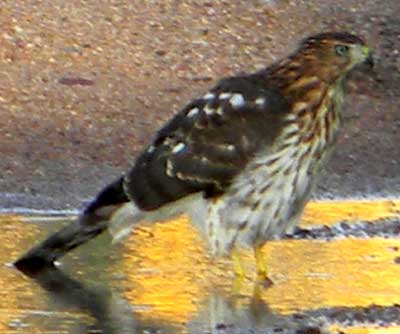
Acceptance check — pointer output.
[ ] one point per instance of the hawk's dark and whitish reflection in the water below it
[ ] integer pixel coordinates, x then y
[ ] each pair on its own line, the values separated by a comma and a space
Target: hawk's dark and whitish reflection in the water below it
219, 312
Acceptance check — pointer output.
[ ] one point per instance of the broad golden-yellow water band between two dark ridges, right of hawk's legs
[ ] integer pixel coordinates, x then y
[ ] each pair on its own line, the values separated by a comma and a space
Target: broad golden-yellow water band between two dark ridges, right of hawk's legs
347, 272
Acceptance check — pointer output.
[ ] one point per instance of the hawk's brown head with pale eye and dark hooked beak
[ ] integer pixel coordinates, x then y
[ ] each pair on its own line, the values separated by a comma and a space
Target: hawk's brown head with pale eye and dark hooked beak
333, 54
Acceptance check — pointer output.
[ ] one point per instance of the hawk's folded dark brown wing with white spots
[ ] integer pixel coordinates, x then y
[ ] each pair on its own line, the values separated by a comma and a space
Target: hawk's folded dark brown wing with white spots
208, 143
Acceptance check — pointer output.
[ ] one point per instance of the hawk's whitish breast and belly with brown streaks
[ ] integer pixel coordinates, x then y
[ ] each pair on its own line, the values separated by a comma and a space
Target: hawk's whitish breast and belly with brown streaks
267, 200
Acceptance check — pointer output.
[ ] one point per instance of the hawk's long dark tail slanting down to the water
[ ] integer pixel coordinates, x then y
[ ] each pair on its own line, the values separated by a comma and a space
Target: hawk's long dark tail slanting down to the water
93, 221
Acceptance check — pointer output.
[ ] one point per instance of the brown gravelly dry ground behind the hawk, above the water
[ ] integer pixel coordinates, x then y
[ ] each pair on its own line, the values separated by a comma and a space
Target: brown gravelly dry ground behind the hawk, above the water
84, 85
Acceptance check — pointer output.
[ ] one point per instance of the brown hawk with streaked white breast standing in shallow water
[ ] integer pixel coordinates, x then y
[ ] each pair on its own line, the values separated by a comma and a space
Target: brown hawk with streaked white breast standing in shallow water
241, 160
